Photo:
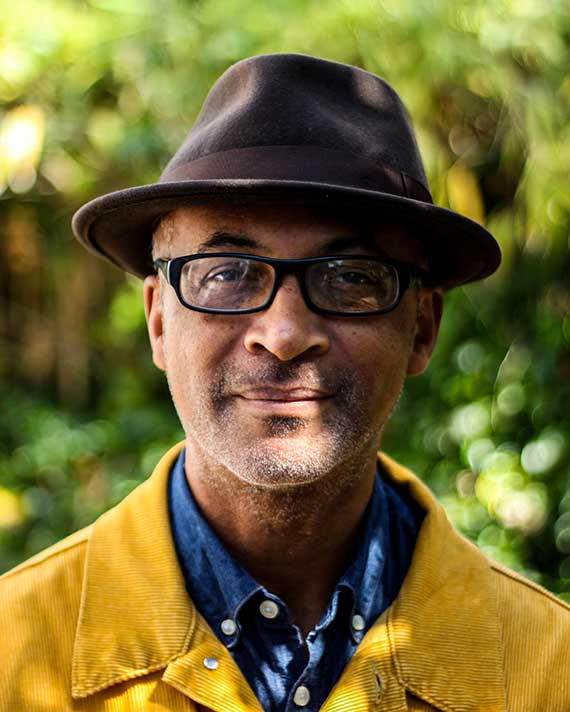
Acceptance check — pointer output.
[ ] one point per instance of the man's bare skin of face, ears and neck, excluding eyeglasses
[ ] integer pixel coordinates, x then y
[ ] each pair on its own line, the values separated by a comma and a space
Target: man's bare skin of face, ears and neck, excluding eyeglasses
283, 410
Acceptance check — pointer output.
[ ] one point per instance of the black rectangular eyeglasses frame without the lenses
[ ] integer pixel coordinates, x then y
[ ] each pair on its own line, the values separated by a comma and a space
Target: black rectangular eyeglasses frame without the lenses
408, 276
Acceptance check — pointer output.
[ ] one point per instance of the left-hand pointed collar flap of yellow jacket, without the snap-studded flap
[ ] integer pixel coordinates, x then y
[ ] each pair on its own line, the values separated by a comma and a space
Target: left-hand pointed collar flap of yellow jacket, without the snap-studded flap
135, 614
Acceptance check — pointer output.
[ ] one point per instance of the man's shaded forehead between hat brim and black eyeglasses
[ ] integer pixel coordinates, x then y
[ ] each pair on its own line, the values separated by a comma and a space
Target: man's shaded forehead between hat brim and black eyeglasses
283, 230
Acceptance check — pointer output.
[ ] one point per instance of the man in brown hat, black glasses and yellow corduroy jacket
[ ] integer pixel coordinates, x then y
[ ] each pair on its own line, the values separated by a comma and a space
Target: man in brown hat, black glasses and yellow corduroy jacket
294, 267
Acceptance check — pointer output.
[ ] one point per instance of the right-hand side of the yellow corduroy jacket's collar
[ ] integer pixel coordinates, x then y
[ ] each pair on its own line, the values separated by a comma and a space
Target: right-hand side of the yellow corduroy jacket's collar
443, 629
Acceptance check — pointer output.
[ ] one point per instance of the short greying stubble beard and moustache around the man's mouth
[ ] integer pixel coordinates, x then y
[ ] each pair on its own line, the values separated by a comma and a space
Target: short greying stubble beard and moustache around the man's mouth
337, 457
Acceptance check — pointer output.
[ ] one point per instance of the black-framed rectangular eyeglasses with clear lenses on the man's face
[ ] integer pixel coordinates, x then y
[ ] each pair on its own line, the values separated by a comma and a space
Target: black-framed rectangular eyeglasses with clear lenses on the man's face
232, 283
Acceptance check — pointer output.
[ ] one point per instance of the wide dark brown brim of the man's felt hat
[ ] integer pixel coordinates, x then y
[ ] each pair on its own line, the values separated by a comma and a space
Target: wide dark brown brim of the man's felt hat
118, 226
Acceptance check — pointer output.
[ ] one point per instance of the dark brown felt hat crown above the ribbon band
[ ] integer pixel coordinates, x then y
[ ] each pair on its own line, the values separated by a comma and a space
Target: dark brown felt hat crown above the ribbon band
302, 101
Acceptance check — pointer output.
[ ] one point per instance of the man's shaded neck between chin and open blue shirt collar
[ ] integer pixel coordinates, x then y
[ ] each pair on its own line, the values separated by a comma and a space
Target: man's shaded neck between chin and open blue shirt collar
297, 542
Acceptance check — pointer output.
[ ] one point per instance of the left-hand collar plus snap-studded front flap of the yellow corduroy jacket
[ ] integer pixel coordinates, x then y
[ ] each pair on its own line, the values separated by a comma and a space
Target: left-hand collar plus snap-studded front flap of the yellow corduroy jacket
136, 617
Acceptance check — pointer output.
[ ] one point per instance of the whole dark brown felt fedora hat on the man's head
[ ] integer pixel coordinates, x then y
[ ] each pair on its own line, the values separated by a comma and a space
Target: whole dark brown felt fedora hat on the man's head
294, 128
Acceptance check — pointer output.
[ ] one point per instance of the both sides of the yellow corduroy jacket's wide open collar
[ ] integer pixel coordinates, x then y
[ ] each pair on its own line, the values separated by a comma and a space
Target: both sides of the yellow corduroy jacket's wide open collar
441, 634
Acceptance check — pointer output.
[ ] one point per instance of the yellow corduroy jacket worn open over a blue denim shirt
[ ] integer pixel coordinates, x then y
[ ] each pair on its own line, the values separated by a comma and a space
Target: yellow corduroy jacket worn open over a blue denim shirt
102, 621
